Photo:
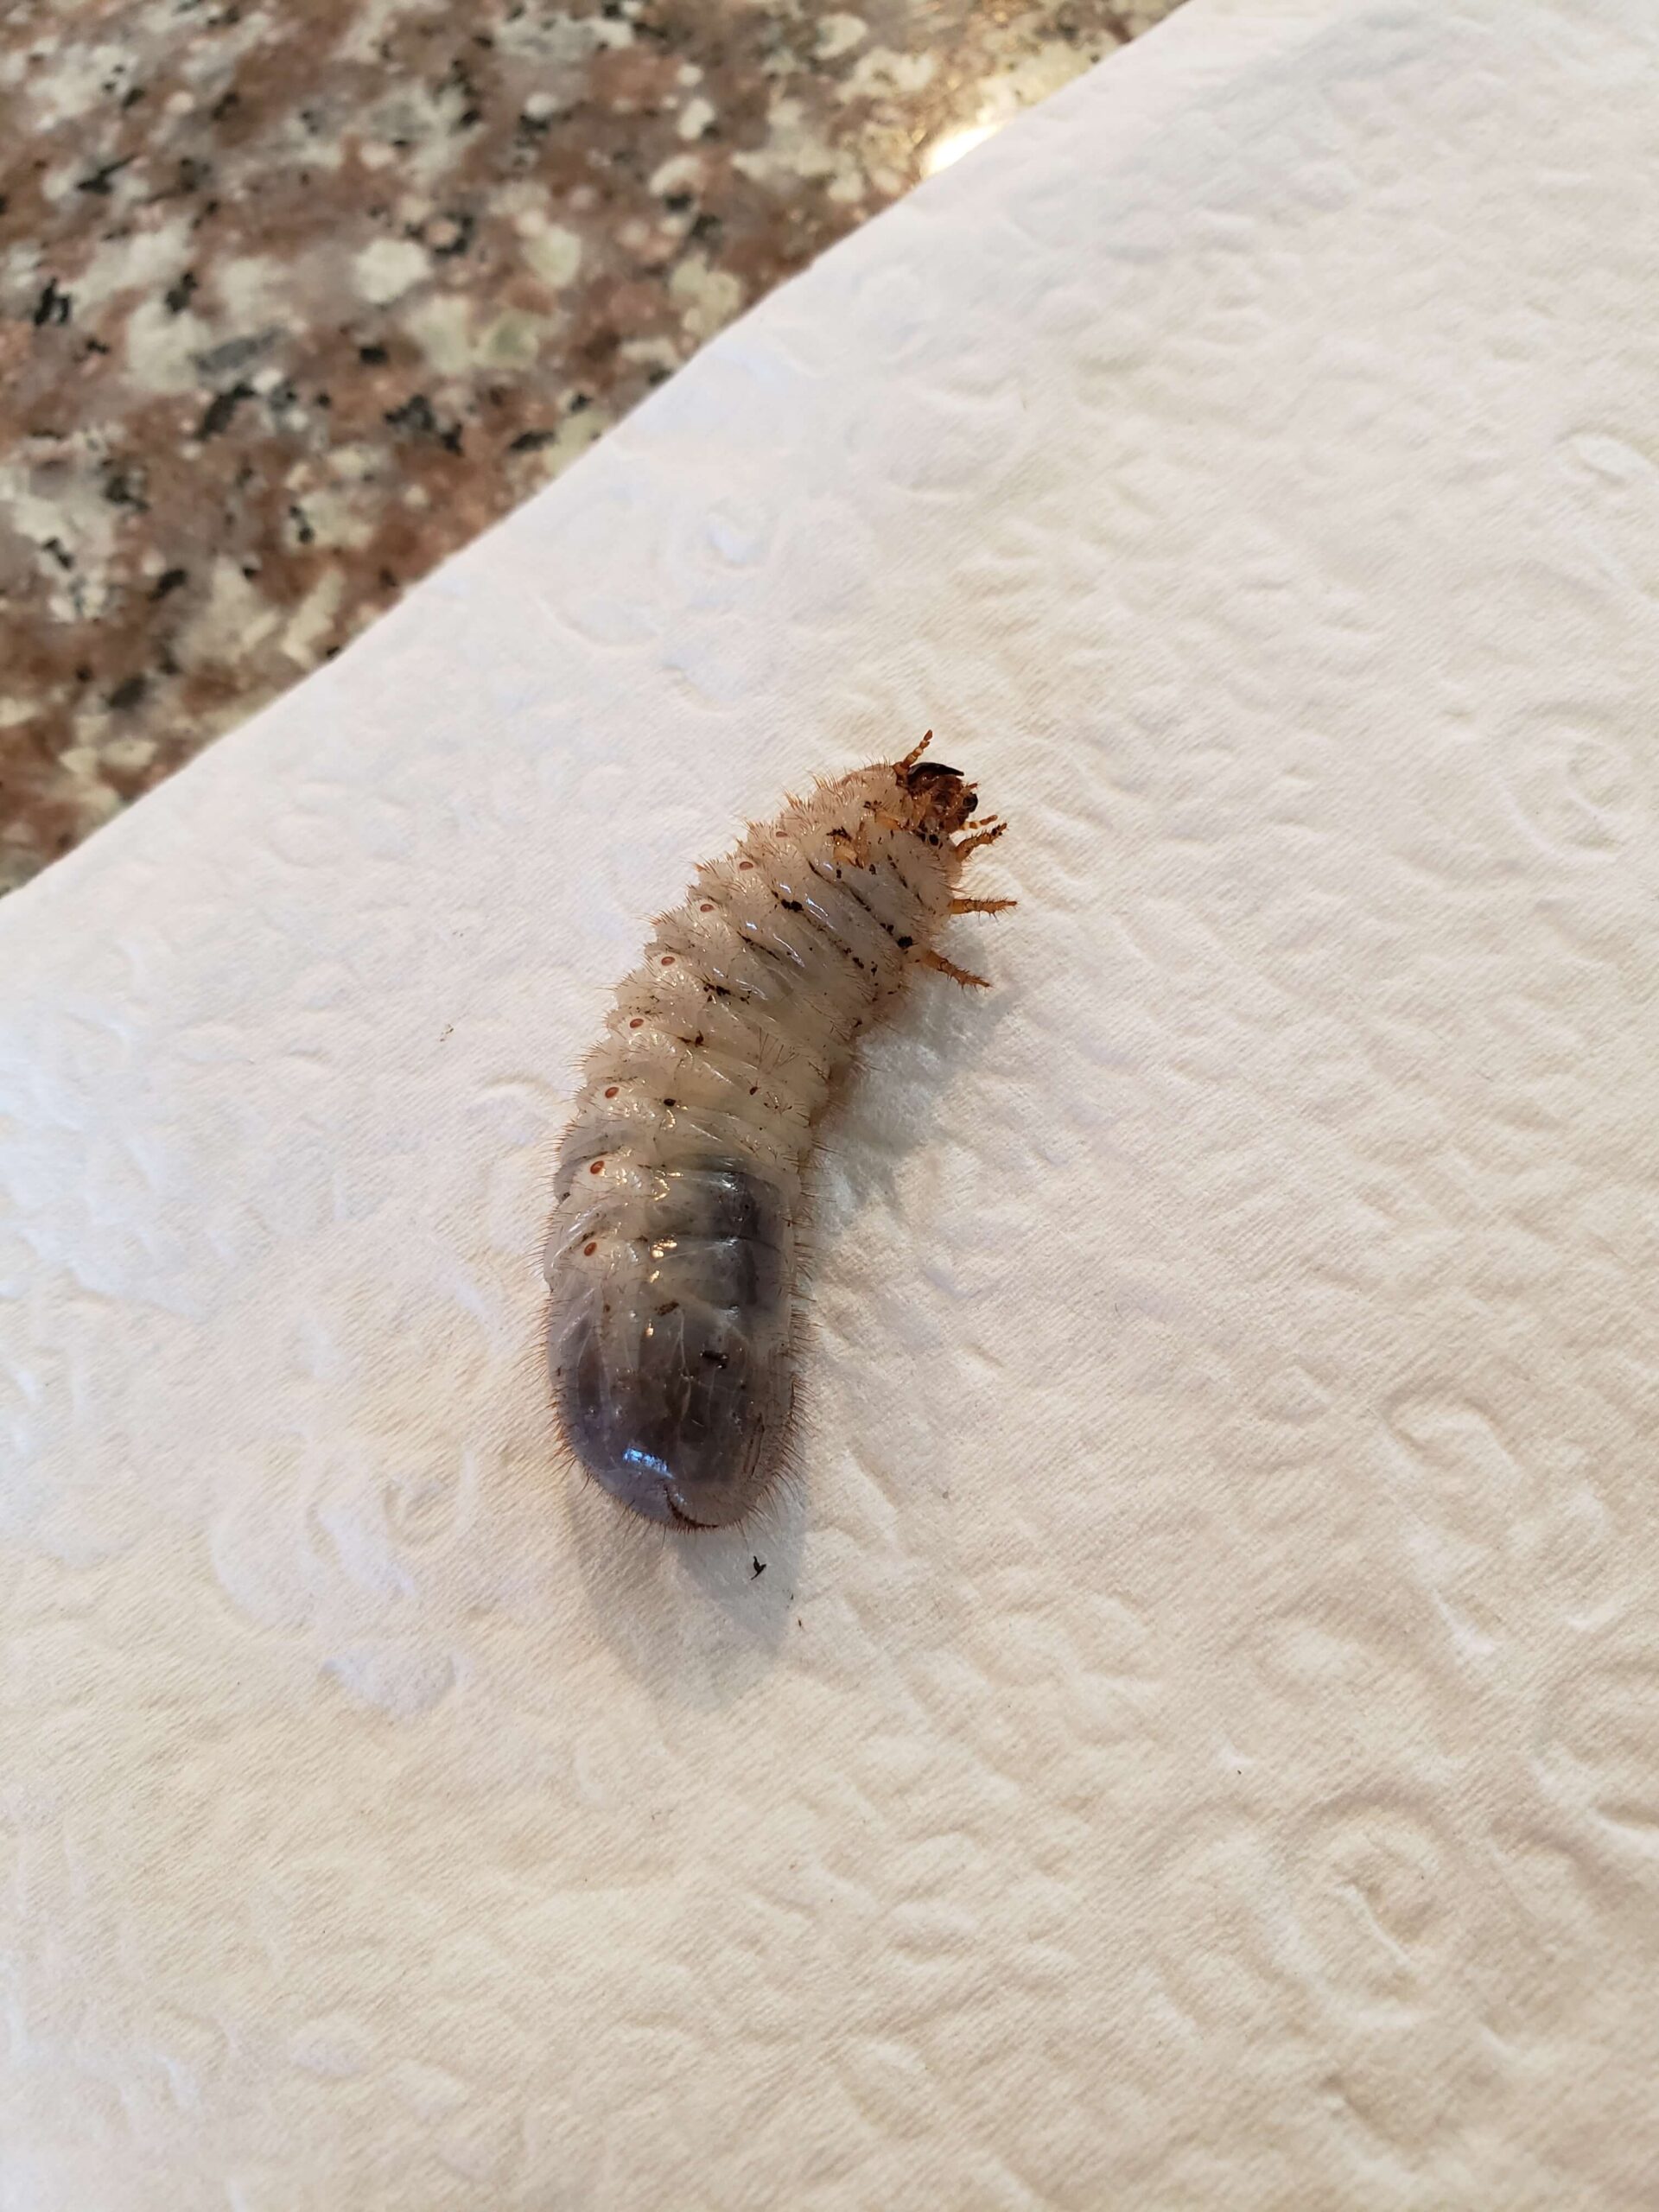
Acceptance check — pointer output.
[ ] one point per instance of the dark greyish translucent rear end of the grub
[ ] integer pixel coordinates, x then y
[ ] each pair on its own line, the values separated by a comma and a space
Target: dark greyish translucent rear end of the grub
671, 1348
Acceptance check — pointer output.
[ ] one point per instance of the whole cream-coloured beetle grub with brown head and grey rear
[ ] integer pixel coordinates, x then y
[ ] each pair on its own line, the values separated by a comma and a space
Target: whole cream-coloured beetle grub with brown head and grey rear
671, 1258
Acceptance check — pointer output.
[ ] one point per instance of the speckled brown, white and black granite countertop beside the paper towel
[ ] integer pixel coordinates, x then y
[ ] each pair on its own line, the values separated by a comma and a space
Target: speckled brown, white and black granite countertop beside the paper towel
302, 295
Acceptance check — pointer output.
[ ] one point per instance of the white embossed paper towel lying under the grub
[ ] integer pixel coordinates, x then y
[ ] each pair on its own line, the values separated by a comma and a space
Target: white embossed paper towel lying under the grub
1196, 1733
